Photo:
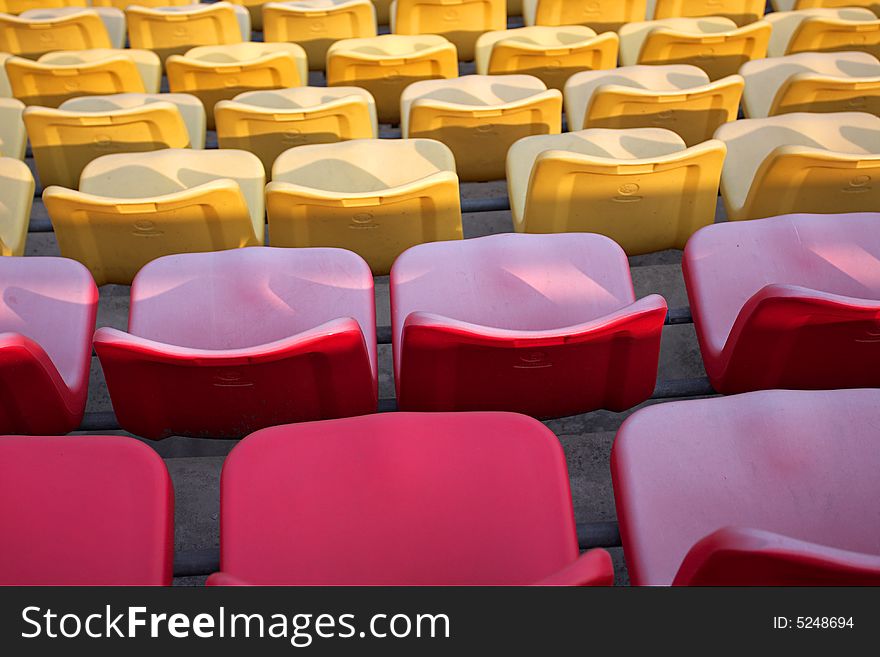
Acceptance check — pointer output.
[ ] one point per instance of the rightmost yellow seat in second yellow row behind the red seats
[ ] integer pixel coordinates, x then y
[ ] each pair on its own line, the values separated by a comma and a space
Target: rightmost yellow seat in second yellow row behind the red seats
812, 82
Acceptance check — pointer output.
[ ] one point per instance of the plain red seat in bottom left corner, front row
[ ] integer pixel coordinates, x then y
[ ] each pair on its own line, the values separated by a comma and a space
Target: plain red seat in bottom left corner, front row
84, 510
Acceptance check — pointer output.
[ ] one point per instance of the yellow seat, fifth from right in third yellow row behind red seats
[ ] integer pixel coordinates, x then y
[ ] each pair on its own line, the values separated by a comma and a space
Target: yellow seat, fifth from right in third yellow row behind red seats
215, 73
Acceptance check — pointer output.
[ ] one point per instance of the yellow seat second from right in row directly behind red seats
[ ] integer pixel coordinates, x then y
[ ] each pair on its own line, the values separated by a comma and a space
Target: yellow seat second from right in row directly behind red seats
642, 187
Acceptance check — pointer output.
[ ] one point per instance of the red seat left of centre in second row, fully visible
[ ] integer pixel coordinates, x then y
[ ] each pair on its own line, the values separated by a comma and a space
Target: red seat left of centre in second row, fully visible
224, 343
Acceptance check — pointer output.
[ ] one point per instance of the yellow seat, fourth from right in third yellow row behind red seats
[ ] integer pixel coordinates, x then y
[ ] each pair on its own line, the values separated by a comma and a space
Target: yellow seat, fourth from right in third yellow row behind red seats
385, 65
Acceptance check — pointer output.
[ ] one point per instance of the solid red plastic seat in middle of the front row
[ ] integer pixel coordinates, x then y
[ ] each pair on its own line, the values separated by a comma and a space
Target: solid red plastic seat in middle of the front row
402, 499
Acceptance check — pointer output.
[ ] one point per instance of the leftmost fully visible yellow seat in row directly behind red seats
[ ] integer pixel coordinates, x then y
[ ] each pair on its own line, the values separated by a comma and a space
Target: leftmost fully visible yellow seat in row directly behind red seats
132, 208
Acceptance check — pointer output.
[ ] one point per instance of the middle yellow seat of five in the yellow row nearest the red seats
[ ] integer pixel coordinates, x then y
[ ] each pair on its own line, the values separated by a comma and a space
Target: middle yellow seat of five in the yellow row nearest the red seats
376, 197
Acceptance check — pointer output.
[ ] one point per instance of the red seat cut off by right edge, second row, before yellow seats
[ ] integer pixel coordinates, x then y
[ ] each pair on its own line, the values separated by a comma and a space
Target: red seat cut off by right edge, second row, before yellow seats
787, 302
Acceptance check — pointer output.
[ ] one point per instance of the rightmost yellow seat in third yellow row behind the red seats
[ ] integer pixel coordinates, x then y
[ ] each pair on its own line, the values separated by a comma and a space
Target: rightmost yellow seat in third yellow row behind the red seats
824, 30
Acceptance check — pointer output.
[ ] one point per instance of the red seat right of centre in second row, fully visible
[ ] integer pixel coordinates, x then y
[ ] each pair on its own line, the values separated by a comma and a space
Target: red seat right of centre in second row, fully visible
546, 325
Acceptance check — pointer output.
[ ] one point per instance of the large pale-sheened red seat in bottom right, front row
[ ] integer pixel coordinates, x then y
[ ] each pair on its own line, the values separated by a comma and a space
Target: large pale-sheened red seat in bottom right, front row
769, 488
